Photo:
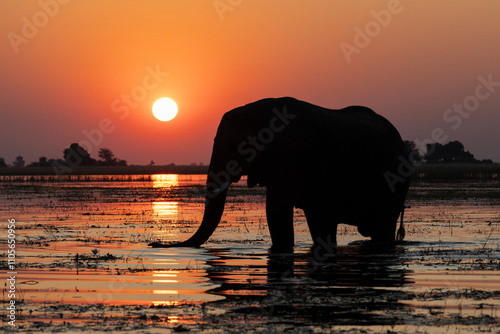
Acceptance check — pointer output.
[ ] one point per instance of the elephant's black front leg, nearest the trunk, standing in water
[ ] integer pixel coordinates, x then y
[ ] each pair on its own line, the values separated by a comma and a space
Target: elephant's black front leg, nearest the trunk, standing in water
279, 211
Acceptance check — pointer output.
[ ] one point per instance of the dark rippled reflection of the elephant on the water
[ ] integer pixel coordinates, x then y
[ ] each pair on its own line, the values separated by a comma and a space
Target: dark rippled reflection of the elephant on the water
339, 286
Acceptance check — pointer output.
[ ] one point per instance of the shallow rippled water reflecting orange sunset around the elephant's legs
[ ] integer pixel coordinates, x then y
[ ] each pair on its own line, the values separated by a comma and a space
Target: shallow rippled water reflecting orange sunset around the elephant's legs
82, 255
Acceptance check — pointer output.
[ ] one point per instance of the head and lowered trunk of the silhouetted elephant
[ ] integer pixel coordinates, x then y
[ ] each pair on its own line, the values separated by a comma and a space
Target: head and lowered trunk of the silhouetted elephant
238, 150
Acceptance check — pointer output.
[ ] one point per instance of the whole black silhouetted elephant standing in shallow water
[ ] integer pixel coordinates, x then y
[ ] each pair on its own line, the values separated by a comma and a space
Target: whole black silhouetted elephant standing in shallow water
339, 166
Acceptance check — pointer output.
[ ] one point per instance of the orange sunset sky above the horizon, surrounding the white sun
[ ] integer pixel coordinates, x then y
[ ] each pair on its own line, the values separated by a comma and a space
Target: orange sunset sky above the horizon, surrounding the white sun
73, 71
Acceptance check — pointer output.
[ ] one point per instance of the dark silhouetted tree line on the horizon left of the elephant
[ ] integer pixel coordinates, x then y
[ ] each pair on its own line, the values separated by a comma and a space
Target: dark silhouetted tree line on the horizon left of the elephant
74, 155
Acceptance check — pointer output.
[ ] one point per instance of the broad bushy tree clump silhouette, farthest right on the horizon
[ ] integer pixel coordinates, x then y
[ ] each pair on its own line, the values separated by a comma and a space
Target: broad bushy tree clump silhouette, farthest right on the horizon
451, 152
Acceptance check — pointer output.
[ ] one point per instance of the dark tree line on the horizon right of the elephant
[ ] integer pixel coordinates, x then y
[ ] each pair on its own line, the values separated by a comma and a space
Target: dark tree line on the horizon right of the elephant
452, 152
